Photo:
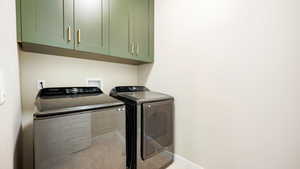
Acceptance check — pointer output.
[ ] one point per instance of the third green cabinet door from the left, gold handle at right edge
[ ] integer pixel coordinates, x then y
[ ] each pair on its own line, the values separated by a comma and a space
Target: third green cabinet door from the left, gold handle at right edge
120, 23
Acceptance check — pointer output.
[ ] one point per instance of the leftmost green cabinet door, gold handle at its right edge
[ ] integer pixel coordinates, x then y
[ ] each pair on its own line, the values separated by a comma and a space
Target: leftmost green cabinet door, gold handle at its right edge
48, 22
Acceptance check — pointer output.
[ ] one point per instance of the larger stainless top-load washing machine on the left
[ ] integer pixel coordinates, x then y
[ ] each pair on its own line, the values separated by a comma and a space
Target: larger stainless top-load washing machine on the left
79, 128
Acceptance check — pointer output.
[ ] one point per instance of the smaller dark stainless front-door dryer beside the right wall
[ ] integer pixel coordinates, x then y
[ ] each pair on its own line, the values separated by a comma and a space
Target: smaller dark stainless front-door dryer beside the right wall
150, 127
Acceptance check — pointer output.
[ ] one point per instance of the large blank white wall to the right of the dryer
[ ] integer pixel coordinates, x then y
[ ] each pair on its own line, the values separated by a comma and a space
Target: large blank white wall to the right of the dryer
233, 67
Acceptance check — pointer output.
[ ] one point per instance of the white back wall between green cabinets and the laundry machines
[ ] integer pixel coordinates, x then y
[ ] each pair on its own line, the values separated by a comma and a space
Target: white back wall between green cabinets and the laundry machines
59, 71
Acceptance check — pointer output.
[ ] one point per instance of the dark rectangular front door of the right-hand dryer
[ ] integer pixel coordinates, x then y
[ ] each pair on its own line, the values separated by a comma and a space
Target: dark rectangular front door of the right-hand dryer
157, 127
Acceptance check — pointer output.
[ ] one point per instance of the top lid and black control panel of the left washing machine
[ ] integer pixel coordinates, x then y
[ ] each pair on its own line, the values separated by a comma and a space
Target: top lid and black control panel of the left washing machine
54, 101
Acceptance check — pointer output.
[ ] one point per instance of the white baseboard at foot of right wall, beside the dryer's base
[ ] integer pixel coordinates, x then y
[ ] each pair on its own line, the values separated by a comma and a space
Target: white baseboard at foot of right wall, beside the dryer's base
183, 163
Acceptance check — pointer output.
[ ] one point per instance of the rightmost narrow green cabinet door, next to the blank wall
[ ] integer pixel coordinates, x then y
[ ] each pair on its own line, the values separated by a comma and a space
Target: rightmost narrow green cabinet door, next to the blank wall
143, 28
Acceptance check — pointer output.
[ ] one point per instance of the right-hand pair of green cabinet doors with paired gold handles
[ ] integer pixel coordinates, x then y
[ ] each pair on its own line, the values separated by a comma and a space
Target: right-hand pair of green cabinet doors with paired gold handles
131, 29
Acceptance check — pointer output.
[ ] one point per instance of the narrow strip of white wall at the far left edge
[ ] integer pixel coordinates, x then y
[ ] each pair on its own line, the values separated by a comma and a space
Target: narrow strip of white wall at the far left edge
10, 112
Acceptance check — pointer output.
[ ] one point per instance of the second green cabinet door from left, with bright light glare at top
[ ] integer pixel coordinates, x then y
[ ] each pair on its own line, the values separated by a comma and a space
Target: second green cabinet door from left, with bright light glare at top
91, 25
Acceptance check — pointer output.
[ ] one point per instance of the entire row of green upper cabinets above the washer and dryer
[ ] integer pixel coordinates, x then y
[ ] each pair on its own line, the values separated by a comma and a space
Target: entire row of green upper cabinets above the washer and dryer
120, 29
